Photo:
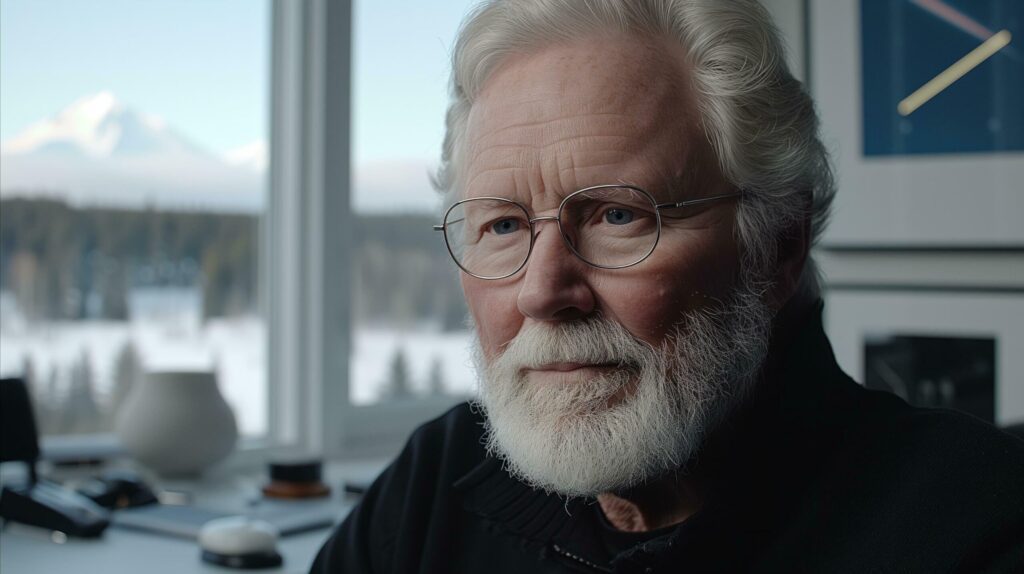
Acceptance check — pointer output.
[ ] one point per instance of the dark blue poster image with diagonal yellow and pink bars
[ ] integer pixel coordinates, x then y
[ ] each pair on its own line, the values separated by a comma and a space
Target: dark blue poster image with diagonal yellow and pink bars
943, 76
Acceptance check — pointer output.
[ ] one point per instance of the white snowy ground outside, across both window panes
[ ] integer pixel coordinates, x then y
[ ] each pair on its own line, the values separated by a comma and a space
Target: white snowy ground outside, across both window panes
236, 348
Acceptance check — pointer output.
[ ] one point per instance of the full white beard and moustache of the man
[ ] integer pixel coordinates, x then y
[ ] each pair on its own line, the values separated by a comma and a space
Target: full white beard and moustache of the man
576, 440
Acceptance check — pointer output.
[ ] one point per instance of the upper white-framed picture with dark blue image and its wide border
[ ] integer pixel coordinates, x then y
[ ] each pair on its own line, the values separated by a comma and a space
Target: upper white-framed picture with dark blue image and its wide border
920, 102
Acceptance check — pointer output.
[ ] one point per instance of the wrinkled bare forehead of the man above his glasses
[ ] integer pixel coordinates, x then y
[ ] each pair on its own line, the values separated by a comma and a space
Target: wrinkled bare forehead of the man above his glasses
575, 115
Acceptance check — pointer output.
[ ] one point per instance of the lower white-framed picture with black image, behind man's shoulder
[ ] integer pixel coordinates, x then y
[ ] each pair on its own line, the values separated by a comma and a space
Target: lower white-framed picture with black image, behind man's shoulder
954, 350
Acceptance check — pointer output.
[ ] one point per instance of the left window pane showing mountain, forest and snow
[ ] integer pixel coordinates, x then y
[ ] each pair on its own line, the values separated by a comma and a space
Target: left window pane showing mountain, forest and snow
135, 140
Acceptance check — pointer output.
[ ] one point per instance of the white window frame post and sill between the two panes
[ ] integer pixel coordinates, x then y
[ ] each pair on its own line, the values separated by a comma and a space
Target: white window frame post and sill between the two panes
309, 246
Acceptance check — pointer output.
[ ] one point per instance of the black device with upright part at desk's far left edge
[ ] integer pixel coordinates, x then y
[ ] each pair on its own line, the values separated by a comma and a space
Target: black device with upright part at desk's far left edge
38, 503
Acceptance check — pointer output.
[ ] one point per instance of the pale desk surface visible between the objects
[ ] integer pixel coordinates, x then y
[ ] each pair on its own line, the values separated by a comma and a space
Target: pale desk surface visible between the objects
31, 551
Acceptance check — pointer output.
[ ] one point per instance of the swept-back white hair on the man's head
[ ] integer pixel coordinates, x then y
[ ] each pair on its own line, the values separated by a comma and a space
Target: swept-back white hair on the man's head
759, 119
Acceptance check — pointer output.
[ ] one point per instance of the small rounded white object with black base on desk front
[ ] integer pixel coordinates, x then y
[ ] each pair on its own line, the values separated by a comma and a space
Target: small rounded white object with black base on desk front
240, 543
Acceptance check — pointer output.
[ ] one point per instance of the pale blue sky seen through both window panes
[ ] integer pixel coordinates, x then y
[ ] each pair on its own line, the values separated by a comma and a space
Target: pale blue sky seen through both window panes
203, 66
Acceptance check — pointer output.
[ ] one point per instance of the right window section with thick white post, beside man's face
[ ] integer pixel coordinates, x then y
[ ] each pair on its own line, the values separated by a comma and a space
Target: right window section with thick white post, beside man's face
346, 217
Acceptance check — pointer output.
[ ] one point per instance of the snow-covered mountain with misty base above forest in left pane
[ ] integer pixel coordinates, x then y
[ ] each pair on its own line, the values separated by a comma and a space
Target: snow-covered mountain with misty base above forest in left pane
100, 151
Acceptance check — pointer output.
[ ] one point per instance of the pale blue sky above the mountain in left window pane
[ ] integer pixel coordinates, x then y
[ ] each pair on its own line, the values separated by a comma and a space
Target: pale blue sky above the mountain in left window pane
203, 67
